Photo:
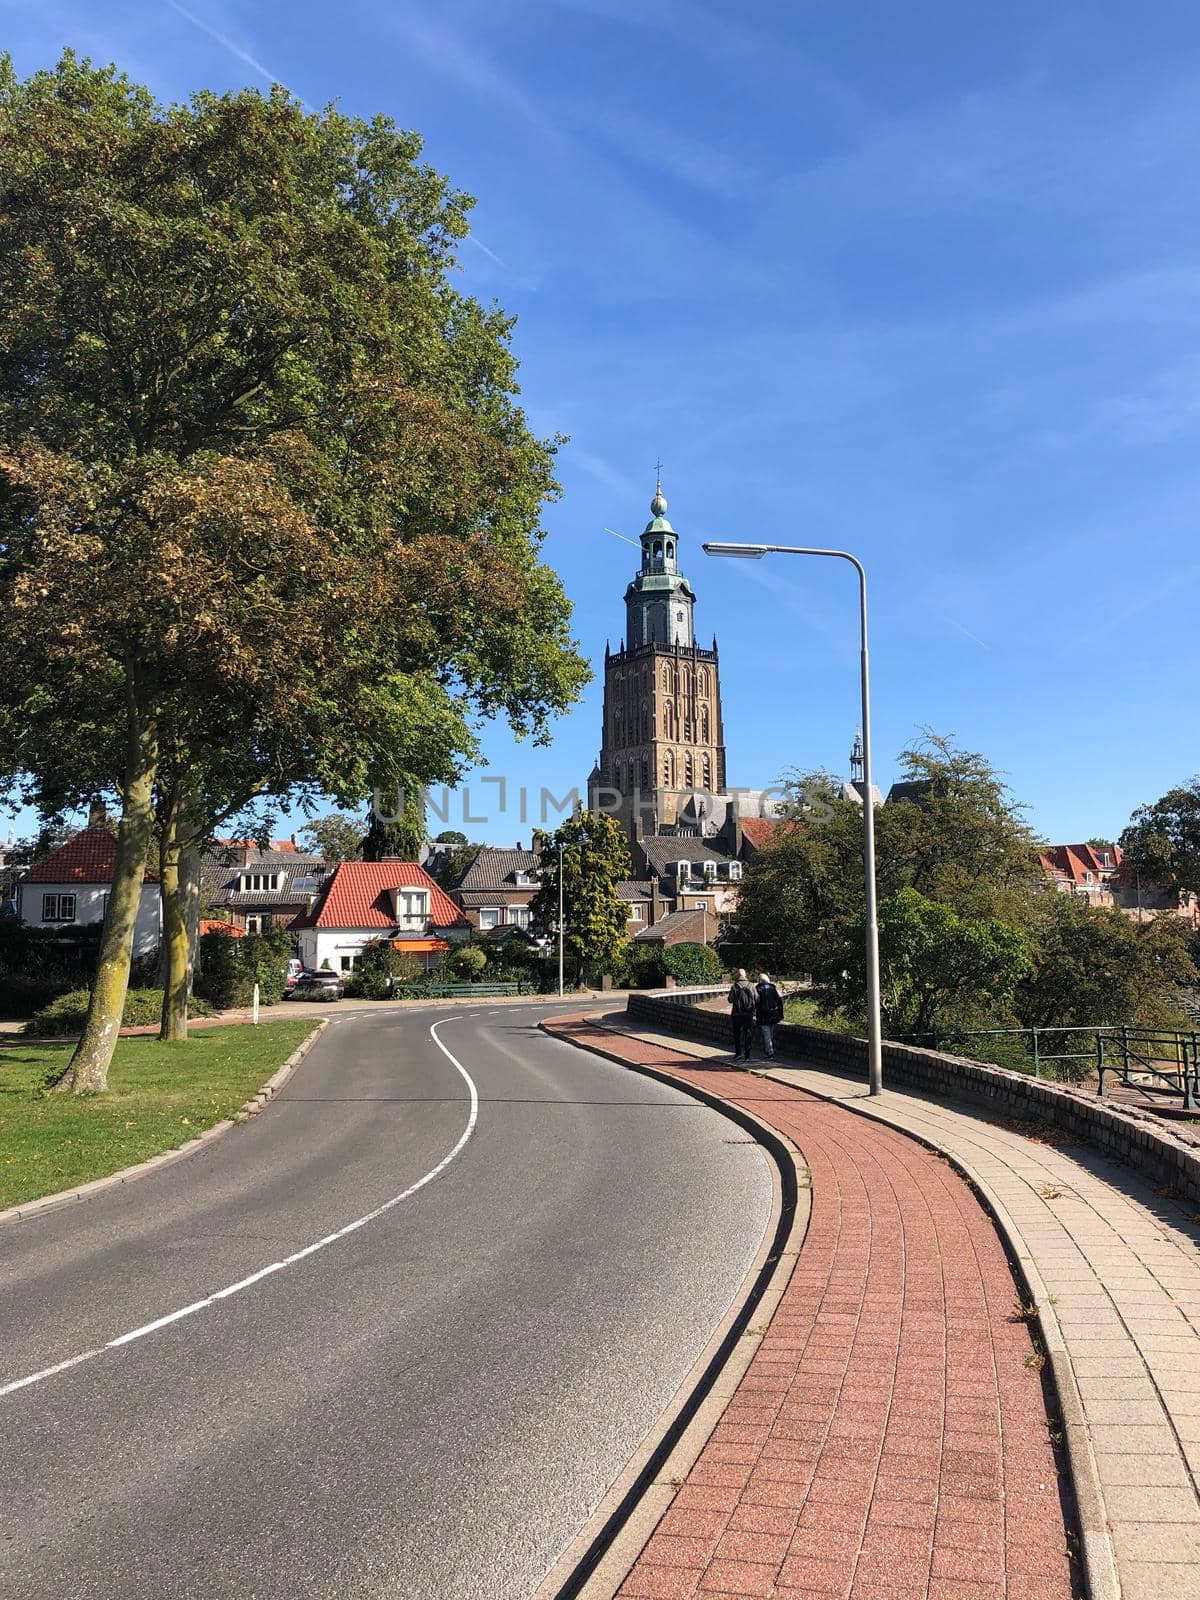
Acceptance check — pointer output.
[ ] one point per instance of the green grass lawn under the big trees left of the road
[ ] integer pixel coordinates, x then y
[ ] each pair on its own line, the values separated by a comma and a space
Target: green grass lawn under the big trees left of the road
159, 1098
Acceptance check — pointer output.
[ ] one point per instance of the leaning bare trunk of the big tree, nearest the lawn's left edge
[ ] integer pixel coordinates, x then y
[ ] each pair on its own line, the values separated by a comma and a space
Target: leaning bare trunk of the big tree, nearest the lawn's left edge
89, 1071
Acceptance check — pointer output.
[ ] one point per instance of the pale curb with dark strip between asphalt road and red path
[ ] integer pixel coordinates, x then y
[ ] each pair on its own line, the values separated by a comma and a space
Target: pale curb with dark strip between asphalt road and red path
598, 1561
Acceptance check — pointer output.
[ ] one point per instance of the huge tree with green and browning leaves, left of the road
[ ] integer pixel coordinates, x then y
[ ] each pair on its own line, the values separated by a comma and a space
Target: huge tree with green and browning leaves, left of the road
265, 489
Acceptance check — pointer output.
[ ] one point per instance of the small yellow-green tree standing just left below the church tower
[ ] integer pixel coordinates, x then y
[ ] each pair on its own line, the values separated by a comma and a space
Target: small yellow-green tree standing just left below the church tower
594, 860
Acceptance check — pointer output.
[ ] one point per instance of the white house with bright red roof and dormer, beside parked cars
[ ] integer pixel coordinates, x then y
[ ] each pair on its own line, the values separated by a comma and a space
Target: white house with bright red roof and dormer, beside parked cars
378, 900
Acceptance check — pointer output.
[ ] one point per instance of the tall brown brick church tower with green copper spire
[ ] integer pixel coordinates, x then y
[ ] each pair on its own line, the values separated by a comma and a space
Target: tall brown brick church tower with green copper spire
663, 734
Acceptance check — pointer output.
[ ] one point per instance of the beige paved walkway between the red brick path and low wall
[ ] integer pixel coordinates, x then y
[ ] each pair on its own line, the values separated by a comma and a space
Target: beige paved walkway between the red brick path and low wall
1118, 1271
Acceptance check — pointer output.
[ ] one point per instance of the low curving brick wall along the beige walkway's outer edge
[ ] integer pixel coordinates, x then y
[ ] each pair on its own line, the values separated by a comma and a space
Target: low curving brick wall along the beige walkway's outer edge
1130, 1135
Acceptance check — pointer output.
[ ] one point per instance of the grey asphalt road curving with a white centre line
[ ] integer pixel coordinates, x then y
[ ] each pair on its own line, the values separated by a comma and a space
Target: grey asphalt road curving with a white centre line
428, 1406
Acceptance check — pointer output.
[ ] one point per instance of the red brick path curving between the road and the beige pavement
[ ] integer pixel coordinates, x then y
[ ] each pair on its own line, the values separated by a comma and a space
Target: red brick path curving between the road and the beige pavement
889, 1441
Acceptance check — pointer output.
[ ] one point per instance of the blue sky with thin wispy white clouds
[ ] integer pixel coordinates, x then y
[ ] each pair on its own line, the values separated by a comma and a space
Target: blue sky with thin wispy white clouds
918, 281
